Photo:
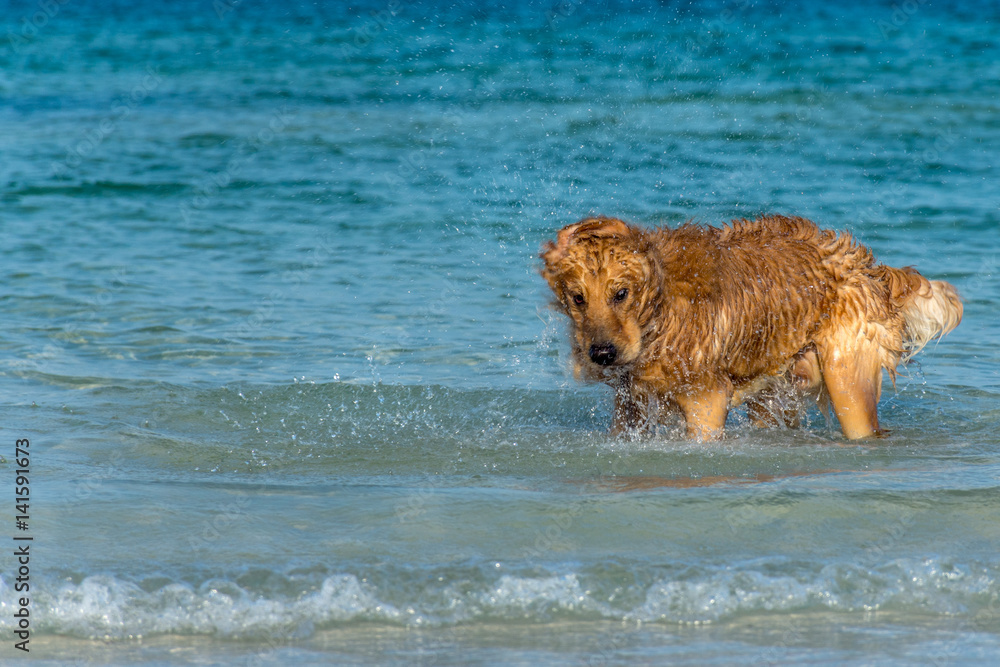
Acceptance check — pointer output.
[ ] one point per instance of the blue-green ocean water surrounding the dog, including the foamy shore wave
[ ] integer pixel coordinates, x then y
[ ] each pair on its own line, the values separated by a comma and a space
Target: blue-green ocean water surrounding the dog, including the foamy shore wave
294, 392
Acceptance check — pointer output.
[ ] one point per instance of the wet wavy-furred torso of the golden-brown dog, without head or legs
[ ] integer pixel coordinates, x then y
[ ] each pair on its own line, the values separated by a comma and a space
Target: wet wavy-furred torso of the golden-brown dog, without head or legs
753, 293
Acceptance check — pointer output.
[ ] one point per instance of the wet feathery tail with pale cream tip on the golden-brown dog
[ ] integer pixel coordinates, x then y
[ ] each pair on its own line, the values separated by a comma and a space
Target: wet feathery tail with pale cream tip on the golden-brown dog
930, 309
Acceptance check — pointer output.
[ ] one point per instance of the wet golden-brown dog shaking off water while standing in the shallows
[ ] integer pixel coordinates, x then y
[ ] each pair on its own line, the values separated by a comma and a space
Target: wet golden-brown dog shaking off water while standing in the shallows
766, 312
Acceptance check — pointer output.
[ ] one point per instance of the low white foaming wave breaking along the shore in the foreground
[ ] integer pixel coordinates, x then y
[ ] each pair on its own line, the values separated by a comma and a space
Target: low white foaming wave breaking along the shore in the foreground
252, 607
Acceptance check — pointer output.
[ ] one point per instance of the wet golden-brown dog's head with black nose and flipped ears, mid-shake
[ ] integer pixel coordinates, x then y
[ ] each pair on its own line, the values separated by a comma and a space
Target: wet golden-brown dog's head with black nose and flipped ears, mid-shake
602, 277
